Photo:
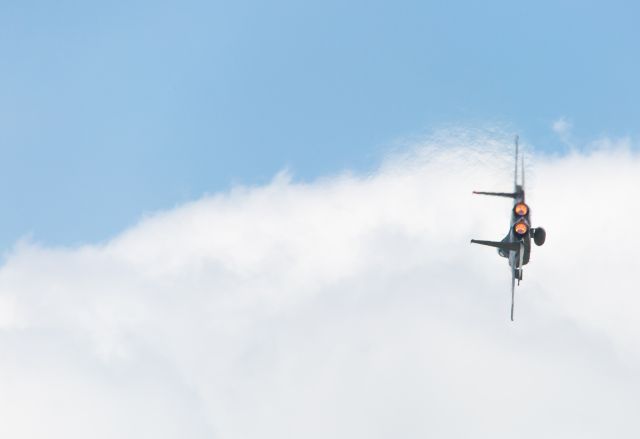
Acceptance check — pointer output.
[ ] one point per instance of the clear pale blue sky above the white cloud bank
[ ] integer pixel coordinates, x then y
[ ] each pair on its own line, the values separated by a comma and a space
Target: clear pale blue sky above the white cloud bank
110, 110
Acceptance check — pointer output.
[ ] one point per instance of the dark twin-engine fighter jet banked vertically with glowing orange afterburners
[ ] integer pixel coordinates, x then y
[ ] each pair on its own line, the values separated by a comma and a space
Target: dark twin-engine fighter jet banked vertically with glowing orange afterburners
516, 246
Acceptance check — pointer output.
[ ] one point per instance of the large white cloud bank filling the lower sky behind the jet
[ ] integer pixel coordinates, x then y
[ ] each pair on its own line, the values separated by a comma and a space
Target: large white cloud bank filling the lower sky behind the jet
348, 307
